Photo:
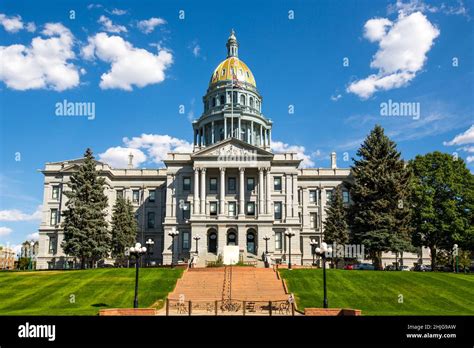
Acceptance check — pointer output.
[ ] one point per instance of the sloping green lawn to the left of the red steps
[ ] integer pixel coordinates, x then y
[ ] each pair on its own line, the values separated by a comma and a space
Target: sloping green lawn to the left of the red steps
50, 292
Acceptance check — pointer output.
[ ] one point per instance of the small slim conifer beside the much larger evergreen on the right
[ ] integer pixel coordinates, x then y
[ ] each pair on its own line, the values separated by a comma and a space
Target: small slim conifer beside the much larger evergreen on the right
336, 229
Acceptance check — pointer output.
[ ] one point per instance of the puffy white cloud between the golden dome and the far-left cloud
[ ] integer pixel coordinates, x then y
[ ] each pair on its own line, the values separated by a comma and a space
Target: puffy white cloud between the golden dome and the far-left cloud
129, 65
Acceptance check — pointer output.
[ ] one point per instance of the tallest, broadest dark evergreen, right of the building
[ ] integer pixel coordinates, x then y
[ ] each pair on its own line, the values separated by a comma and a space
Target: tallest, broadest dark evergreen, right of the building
380, 213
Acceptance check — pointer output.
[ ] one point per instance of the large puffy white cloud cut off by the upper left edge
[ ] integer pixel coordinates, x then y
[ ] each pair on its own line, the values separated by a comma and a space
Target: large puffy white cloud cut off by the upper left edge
43, 64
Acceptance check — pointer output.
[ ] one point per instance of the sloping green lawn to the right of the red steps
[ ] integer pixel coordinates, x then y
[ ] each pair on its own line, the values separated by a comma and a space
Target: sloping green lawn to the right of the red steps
377, 292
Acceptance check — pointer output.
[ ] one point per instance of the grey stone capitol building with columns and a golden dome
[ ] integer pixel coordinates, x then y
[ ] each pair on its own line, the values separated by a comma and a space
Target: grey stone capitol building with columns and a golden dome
230, 191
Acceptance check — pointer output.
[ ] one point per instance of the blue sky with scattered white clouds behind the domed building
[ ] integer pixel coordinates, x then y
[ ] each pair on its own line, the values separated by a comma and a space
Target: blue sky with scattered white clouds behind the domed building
138, 61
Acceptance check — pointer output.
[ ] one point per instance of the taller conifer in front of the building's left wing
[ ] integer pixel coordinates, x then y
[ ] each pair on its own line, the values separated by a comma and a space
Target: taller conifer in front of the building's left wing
85, 228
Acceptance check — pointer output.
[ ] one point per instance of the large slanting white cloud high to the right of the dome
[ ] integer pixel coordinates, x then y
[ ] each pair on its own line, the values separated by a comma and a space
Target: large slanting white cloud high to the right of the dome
401, 54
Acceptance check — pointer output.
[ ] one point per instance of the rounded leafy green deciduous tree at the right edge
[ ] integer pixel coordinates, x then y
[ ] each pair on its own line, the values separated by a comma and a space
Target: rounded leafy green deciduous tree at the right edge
443, 202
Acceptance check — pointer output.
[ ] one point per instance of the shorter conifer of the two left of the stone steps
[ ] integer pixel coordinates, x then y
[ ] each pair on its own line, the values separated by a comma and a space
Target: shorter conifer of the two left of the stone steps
124, 227
